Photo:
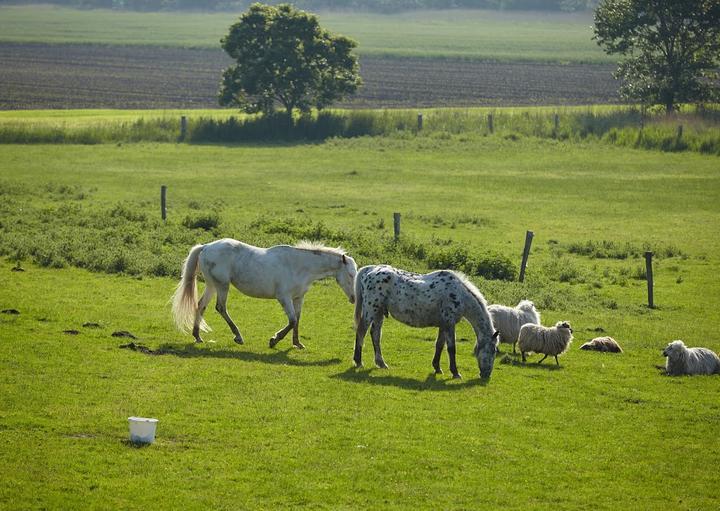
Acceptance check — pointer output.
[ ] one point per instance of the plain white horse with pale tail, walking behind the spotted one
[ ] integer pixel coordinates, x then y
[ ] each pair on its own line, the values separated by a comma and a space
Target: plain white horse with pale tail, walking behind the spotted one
281, 272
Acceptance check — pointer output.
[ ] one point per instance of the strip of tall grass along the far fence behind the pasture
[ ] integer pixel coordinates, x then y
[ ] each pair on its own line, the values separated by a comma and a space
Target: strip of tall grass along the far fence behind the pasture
695, 129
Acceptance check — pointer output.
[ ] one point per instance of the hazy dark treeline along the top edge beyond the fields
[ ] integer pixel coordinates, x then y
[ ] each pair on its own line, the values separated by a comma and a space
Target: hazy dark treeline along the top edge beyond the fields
356, 5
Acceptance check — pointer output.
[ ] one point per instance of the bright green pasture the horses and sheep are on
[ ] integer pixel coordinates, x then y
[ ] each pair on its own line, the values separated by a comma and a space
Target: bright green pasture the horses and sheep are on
253, 427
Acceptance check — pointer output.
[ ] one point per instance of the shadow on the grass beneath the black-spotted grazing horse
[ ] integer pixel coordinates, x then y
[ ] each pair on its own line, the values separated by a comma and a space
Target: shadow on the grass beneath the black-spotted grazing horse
433, 381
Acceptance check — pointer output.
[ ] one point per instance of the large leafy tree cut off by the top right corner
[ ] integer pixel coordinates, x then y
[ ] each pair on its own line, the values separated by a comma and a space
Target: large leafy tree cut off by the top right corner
669, 48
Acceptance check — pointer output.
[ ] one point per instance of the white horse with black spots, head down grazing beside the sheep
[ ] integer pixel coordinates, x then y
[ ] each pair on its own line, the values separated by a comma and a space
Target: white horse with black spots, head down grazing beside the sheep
441, 299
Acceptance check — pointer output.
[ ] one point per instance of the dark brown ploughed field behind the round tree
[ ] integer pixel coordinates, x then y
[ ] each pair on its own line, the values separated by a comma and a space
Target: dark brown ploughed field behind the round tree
35, 76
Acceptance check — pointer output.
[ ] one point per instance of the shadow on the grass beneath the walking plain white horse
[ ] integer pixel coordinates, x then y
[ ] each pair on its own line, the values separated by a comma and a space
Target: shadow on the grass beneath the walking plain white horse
278, 357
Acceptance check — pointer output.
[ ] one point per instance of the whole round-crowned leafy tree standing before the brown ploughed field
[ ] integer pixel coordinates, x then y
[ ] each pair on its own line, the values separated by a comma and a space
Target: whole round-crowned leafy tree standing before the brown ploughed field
283, 57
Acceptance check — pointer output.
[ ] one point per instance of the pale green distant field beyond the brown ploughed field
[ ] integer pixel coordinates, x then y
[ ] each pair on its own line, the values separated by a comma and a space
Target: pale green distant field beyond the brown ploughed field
556, 37
